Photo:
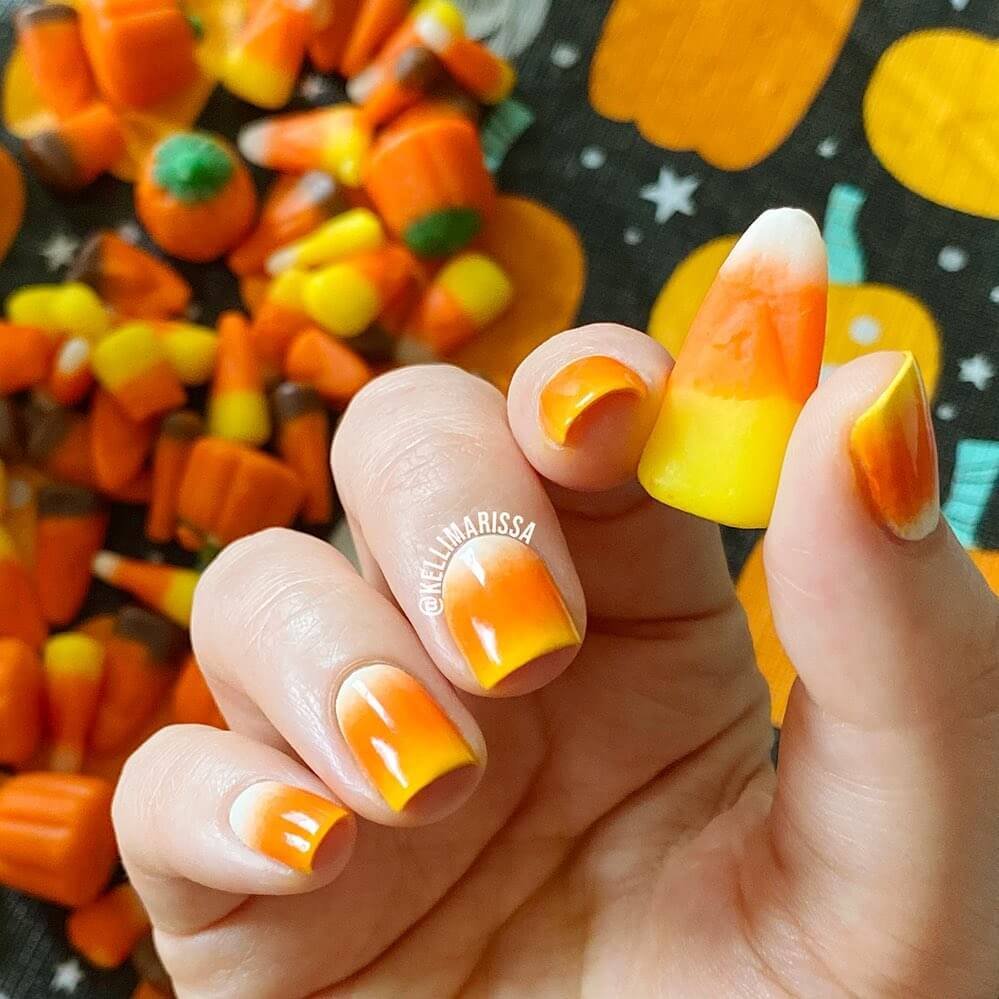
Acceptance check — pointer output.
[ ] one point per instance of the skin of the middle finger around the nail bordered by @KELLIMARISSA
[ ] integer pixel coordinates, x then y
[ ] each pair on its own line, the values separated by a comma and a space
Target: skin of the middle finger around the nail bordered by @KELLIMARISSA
420, 448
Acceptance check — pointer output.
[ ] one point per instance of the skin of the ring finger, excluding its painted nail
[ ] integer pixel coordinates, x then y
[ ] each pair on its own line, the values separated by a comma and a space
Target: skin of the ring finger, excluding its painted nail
283, 618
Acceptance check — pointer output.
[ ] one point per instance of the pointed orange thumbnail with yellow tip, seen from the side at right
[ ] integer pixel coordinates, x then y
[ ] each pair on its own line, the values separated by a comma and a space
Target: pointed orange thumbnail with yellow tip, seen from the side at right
895, 456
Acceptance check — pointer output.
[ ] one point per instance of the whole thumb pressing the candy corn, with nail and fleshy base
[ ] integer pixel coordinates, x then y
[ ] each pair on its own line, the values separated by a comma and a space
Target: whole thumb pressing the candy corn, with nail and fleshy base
881, 847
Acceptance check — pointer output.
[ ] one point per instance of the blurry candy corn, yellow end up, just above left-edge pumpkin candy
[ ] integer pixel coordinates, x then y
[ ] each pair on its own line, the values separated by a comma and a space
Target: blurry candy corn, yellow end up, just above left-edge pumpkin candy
74, 669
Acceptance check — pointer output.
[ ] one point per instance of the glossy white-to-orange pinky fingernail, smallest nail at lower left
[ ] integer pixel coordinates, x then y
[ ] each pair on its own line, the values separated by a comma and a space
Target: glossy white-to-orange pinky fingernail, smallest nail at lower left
284, 823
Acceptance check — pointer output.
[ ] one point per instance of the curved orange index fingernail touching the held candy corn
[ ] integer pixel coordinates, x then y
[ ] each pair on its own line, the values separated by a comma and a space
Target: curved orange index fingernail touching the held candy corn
578, 387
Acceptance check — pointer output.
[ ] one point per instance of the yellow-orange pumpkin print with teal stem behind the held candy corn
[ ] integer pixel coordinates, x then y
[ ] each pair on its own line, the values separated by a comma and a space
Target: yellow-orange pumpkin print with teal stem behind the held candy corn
862, 317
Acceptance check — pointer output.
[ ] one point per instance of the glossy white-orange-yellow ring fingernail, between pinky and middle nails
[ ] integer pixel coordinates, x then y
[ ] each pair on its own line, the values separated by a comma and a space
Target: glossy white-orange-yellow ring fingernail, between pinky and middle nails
398, 733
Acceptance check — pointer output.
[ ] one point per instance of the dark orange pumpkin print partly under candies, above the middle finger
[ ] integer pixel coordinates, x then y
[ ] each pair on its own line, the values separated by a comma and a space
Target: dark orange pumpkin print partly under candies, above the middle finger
543, 256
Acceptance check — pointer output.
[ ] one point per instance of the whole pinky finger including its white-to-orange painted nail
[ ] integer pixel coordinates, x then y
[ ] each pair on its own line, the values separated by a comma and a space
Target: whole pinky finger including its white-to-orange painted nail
205, 818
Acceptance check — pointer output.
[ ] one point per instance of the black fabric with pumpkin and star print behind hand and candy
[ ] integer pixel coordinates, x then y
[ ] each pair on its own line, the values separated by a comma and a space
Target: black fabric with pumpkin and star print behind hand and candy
663, 128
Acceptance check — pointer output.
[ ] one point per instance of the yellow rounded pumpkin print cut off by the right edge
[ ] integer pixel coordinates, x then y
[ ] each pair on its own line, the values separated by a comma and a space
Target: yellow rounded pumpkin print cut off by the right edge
932, 117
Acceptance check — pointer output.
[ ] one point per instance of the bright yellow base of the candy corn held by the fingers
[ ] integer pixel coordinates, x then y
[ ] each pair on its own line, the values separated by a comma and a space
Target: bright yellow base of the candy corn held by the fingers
718, 458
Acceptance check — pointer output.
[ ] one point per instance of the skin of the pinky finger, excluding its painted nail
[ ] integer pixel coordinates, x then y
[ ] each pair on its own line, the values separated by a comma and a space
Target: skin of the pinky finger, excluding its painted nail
172, 818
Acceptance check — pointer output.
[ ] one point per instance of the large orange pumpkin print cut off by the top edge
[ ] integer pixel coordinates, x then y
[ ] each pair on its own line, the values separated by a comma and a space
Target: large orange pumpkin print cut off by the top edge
728, 79
